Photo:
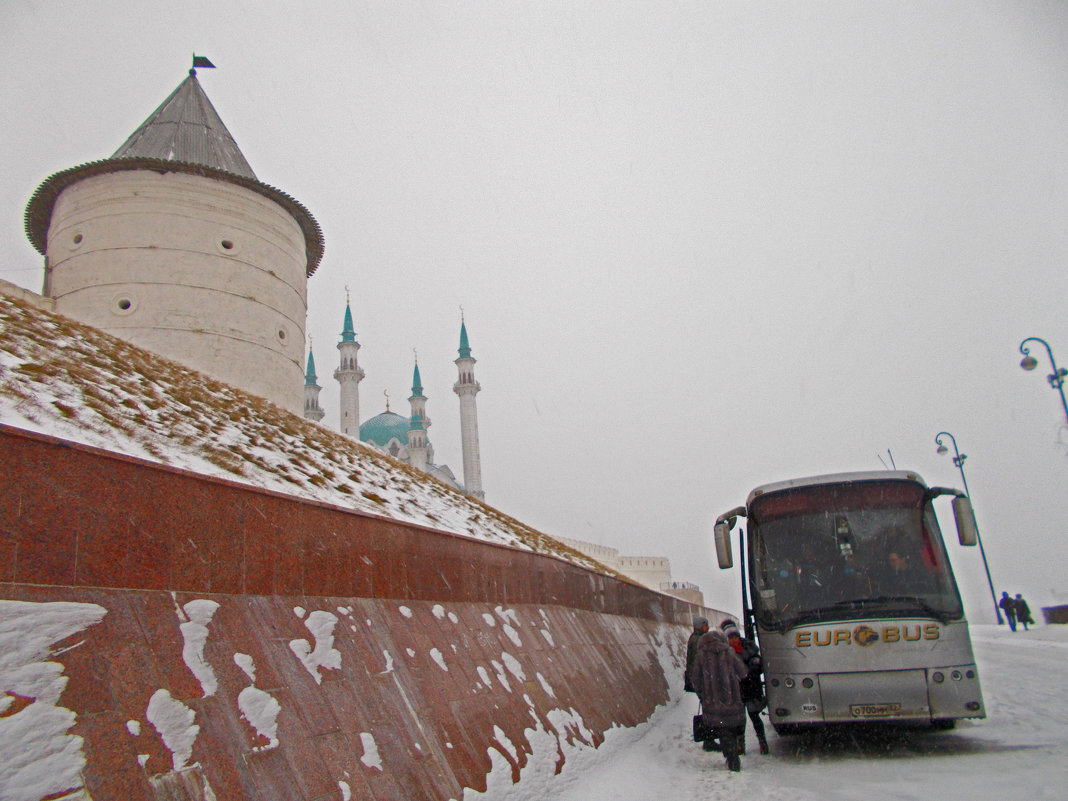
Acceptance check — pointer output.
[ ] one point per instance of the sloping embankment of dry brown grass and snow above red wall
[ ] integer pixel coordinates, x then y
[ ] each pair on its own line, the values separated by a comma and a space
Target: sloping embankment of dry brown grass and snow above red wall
76, 383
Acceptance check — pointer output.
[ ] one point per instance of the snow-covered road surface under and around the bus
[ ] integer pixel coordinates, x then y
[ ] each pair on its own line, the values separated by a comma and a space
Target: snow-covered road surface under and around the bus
1020, 751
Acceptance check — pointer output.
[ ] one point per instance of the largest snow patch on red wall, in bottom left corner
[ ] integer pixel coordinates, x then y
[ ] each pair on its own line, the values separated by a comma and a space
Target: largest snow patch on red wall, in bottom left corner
39, 758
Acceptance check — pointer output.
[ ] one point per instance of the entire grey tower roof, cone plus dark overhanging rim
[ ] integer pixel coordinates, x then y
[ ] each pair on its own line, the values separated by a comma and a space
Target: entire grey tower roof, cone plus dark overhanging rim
184, 135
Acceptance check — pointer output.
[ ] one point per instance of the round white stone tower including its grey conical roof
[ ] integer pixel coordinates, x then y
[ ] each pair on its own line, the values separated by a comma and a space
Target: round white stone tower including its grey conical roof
176, 246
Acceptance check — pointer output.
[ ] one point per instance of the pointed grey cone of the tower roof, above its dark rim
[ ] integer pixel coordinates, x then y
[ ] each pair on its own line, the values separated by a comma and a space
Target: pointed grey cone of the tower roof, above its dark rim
186, 128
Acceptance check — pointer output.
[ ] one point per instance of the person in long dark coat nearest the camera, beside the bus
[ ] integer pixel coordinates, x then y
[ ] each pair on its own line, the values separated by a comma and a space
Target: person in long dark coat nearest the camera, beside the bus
717, 677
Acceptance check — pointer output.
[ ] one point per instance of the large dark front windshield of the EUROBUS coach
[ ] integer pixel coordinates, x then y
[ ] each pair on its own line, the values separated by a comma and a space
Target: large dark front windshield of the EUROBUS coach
844, 552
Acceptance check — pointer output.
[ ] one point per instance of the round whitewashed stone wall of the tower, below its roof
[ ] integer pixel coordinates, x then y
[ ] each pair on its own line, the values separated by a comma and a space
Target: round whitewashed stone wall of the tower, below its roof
207, 273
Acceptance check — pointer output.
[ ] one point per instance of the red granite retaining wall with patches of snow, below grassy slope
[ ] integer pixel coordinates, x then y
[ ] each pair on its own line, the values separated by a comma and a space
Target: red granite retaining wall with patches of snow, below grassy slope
166, 635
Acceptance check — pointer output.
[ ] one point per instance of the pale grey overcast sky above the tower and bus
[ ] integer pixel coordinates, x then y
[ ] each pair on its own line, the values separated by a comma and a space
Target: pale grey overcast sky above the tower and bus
700, 246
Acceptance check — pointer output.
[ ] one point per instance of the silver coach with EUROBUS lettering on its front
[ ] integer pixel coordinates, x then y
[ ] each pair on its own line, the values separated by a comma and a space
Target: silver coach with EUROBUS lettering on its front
856, 607
